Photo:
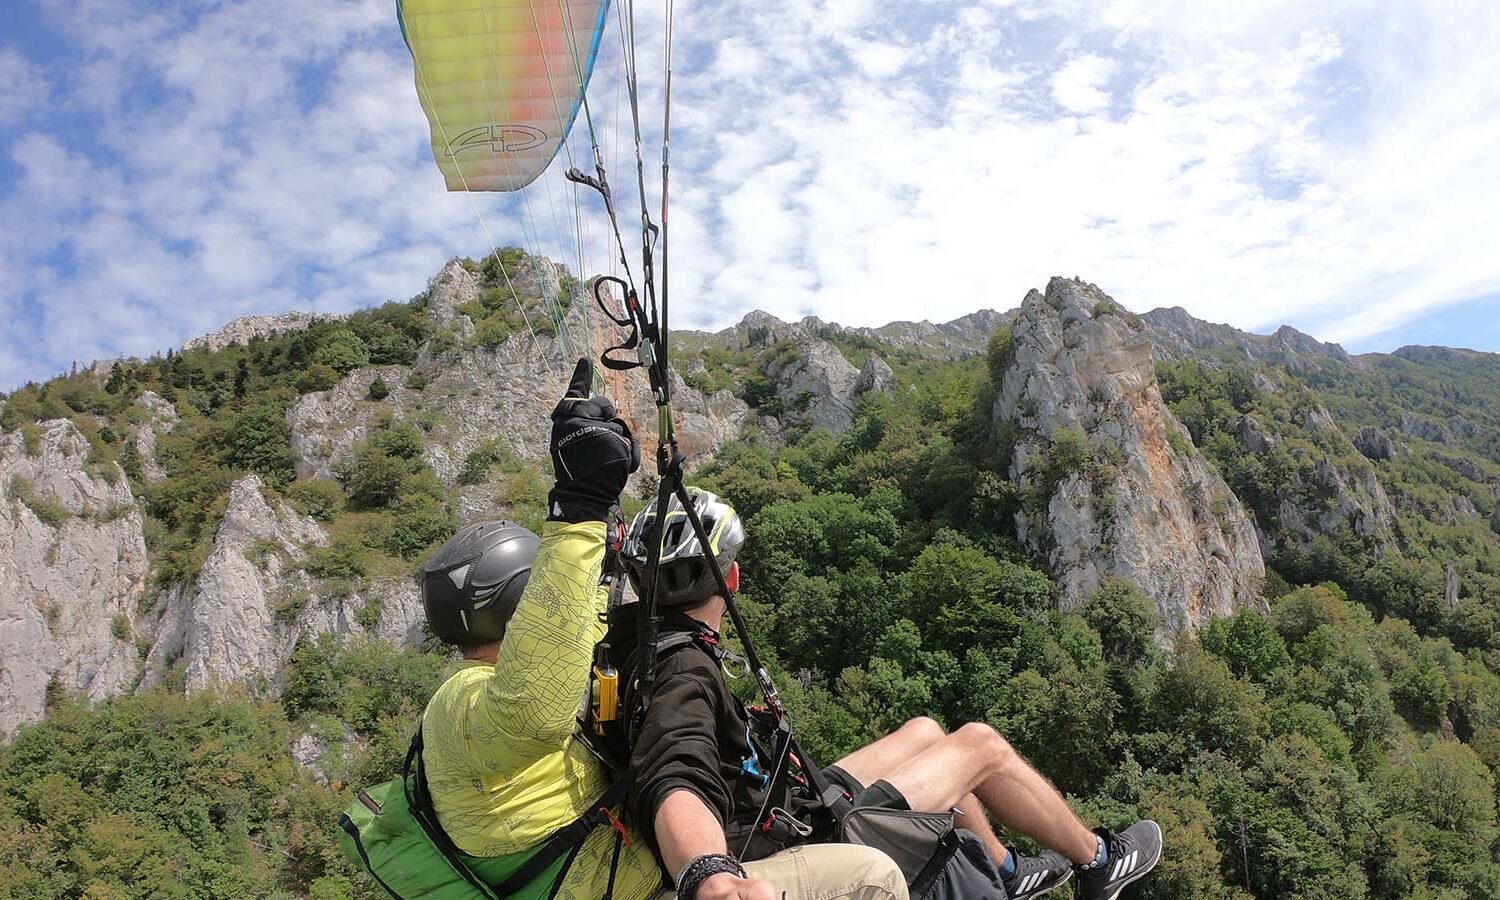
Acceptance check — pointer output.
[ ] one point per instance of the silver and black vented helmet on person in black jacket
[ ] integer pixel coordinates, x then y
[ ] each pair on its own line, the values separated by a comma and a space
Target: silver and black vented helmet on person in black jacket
686, 578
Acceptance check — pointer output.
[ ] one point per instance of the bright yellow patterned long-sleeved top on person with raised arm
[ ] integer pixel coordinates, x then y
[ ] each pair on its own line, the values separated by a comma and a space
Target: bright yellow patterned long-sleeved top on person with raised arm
503, 763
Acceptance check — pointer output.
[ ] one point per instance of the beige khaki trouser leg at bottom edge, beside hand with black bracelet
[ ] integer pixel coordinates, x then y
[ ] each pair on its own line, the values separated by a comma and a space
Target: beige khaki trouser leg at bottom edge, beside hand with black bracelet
827, 872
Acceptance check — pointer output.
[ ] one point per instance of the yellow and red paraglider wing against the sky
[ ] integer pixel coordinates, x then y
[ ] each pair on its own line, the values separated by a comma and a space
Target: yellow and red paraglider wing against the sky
500, 82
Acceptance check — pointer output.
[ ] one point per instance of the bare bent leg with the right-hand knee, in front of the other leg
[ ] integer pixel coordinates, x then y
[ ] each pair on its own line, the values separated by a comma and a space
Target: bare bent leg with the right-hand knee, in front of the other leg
979, 760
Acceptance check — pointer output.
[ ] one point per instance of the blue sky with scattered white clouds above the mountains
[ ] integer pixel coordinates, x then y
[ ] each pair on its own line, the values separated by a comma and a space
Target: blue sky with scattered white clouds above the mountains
169, 167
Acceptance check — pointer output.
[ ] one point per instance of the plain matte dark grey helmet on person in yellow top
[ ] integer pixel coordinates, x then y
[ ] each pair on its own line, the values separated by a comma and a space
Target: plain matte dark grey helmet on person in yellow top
472, 586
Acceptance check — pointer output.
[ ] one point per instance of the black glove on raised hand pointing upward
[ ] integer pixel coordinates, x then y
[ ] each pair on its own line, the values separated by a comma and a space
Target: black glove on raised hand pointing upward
593, 454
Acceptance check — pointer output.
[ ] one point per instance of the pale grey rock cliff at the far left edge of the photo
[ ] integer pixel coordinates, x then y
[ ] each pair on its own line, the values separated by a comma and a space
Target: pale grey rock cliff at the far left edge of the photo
73, 569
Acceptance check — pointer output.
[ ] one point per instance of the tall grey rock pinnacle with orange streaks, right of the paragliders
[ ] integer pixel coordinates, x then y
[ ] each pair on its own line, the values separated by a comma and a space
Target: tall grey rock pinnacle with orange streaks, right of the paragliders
1138, 508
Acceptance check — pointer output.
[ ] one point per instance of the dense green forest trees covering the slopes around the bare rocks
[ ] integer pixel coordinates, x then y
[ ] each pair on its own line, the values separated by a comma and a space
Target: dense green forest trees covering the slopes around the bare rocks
1342, 745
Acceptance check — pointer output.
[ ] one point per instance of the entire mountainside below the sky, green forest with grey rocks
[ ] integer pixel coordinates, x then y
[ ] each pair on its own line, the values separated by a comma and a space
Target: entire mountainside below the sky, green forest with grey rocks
1333, 736
